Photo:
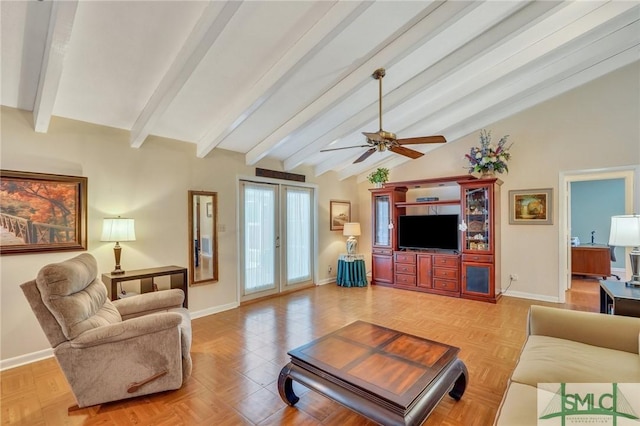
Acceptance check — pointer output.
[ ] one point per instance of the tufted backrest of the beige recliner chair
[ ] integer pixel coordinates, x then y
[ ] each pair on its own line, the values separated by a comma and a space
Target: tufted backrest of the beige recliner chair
75, 296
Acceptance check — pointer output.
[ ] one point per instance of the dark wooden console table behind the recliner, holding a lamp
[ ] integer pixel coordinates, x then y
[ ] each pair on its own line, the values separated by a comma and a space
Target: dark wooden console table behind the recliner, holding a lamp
178, 276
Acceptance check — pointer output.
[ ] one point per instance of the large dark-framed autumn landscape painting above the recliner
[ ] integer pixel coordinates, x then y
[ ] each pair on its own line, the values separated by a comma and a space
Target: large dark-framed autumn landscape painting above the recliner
42, 212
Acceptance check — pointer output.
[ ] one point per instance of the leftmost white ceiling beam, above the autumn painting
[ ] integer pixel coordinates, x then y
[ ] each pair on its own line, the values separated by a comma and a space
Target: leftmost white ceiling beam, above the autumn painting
57, 44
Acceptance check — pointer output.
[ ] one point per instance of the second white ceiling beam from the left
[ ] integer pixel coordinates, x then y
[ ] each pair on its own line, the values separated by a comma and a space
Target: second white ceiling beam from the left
211, 24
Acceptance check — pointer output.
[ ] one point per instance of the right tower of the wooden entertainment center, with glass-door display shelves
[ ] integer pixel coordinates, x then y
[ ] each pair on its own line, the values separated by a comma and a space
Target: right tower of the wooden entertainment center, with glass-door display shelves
480, 241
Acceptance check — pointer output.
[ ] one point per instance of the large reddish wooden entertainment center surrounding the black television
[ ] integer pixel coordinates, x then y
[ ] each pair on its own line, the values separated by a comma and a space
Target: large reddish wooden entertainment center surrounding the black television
472, 271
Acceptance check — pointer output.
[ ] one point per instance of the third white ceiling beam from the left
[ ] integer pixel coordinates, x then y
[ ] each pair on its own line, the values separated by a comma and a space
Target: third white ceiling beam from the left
332, 23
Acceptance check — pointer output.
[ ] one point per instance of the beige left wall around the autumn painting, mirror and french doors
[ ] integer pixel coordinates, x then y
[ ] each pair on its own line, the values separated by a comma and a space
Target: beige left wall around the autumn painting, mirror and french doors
149, 184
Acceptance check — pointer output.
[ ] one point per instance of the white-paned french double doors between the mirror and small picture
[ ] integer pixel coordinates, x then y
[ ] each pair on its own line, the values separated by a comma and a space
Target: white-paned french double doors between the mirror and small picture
276, 238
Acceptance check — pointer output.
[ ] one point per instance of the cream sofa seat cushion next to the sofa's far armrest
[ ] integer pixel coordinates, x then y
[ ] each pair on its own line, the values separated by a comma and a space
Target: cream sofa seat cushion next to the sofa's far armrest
551, 360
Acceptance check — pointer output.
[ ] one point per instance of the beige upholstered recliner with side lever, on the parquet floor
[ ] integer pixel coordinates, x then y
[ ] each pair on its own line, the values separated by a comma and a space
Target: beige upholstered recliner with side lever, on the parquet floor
107, 350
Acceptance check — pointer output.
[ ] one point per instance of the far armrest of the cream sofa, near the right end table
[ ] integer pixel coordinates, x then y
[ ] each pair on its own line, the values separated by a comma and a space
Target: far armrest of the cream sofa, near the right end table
607, 331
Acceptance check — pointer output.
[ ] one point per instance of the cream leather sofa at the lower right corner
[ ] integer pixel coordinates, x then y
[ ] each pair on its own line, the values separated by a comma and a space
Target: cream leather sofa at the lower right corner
565, 346
